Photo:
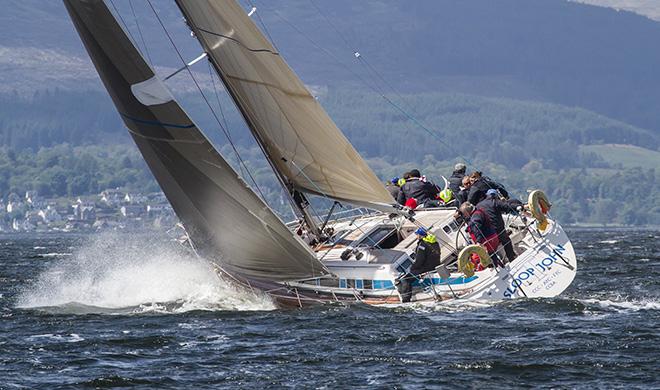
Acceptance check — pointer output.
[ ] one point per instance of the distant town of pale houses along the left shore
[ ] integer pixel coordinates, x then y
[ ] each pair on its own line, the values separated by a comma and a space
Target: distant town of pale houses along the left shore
112, 209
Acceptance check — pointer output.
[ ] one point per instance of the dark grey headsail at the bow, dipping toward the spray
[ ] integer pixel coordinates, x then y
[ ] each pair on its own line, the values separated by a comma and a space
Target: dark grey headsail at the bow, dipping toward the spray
224, 218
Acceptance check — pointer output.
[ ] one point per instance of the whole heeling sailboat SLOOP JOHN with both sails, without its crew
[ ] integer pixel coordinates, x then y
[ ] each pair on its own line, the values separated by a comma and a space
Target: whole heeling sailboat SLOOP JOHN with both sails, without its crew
354, 258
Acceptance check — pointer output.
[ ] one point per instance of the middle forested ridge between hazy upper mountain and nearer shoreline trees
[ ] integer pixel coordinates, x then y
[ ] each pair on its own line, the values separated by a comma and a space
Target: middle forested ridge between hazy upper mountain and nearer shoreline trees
508, 132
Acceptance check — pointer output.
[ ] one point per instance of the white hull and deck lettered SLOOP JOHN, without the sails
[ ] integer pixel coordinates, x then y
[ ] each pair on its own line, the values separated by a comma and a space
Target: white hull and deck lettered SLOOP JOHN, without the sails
545, 267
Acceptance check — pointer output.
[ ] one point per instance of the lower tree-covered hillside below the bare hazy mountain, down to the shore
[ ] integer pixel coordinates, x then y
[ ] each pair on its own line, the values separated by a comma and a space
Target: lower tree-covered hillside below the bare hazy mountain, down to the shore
569, 152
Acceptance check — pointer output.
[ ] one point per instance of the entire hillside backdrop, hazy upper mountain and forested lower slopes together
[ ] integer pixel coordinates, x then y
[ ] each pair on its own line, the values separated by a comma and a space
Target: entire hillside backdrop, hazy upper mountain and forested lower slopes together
536, 93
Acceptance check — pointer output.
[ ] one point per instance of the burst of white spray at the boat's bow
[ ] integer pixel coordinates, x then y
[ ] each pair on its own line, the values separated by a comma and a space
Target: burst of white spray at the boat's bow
115, 273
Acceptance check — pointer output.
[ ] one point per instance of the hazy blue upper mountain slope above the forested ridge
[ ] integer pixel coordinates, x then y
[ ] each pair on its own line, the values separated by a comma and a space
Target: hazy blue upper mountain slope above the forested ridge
545, 50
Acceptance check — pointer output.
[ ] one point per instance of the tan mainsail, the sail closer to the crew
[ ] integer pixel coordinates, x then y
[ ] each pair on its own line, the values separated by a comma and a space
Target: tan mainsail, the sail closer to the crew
301, 141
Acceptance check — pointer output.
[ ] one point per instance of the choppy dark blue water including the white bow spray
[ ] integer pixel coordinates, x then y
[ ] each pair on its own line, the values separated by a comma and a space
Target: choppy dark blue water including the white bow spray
110, 311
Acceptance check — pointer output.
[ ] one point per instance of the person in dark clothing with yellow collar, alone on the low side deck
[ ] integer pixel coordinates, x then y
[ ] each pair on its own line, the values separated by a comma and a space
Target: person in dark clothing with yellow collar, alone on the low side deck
427, 257
